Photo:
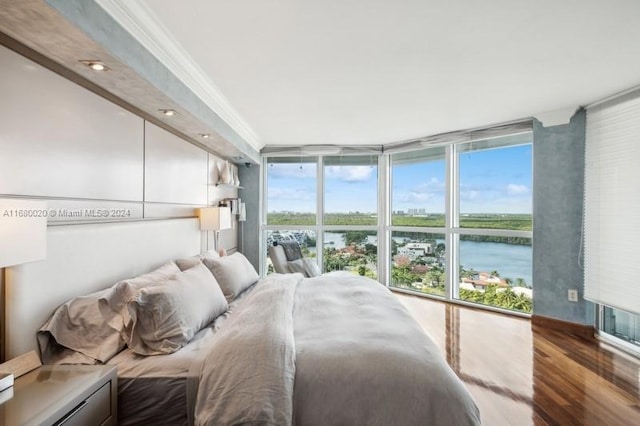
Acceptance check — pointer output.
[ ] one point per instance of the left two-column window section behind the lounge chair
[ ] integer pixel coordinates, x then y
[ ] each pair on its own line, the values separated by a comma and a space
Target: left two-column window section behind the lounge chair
329, 205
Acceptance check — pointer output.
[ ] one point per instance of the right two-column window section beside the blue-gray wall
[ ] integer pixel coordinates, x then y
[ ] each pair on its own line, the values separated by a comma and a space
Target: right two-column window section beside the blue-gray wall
461, 222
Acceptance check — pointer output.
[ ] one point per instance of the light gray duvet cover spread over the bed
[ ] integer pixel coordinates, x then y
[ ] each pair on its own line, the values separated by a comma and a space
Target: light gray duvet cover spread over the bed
329, 350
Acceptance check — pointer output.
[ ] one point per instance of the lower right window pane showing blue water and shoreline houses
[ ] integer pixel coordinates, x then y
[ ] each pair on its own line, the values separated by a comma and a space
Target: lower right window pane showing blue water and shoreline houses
496, 271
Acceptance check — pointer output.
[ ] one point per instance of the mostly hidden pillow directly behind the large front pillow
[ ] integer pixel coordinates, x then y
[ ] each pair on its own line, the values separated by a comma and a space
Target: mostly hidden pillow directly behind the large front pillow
113, 304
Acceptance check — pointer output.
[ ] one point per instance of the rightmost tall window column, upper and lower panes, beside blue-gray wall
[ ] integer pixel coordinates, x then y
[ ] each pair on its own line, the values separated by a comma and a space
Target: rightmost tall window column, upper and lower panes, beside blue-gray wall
495, 220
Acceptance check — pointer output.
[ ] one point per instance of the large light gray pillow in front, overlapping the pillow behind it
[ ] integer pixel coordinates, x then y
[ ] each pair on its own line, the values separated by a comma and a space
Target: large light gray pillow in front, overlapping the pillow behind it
166, 316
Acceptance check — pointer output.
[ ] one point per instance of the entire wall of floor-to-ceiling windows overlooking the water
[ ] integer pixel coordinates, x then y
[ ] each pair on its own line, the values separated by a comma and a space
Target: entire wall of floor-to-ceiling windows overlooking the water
458, 225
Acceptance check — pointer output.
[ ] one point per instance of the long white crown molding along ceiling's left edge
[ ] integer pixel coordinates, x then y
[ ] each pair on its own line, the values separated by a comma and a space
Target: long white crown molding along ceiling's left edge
142, 23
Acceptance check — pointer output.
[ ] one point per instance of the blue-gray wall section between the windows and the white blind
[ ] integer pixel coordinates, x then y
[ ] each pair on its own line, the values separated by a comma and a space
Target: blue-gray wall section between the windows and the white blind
558, 176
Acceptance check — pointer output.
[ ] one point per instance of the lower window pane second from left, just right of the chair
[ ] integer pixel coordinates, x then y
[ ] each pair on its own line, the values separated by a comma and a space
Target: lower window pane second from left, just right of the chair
353, 251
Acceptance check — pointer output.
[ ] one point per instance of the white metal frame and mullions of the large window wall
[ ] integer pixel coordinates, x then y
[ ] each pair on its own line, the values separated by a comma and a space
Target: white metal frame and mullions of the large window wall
452, 229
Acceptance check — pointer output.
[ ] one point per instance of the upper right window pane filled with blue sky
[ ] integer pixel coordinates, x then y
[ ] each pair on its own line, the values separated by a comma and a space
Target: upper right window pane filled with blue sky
495, 183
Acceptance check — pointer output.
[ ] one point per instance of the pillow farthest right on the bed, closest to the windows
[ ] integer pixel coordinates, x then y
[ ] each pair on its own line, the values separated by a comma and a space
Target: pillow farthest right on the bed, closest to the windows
234, 273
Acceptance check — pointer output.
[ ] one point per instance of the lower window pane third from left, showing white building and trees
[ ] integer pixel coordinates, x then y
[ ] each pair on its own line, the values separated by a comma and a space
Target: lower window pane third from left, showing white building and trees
418, 262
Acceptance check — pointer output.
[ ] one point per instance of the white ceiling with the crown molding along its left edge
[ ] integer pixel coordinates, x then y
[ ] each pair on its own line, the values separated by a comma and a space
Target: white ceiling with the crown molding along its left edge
379, 71
